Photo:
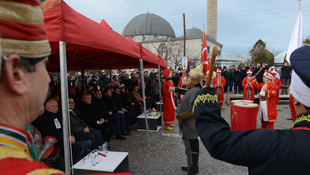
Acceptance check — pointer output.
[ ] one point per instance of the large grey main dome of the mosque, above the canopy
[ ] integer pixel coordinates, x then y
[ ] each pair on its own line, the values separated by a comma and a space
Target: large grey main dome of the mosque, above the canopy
148, 24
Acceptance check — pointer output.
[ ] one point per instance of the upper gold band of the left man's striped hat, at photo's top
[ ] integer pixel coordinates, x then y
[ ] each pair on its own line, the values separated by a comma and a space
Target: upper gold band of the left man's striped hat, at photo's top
19, 12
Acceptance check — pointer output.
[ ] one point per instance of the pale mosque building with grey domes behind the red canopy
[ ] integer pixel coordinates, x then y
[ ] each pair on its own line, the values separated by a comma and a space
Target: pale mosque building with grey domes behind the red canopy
157, 35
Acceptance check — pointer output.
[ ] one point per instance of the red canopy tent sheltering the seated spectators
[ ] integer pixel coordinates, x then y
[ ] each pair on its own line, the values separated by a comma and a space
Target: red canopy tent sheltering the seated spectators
90, 45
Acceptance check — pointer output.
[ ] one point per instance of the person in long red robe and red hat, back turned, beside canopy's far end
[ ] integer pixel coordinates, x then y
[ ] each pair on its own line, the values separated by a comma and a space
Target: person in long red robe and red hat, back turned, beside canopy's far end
168, 101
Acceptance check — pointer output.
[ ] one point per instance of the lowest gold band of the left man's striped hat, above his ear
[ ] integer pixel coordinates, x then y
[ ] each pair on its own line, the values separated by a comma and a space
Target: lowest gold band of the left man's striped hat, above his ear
29, 49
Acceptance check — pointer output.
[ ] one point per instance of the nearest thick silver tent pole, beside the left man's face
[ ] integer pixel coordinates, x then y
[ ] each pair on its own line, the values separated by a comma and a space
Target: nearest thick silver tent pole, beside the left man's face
64, 104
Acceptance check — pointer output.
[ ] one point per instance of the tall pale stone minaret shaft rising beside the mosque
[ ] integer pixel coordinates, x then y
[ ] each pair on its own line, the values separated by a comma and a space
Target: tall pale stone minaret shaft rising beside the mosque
212, 18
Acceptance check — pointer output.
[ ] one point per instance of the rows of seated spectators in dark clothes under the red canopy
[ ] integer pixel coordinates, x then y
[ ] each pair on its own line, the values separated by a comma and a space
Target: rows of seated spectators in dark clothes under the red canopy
103, 109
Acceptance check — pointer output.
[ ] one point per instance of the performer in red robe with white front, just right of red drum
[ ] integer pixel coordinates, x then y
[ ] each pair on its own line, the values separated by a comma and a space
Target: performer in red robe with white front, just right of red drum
267, 104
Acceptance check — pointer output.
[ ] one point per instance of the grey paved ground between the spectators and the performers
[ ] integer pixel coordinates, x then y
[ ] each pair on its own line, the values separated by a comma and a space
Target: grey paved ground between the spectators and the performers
165, 154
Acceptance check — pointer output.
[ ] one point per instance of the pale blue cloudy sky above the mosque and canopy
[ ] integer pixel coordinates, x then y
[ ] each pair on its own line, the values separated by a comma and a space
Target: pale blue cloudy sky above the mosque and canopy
240, 22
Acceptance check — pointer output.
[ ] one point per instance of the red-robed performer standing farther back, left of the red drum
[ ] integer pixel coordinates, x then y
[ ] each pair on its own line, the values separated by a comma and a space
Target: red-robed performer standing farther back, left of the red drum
219, 84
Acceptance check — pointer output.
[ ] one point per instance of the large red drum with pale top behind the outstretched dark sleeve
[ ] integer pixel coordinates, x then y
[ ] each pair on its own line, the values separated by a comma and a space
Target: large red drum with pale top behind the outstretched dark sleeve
244, 116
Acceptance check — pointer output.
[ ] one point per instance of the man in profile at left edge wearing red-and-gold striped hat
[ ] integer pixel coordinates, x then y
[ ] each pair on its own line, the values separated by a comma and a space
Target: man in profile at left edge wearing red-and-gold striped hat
24, 84
